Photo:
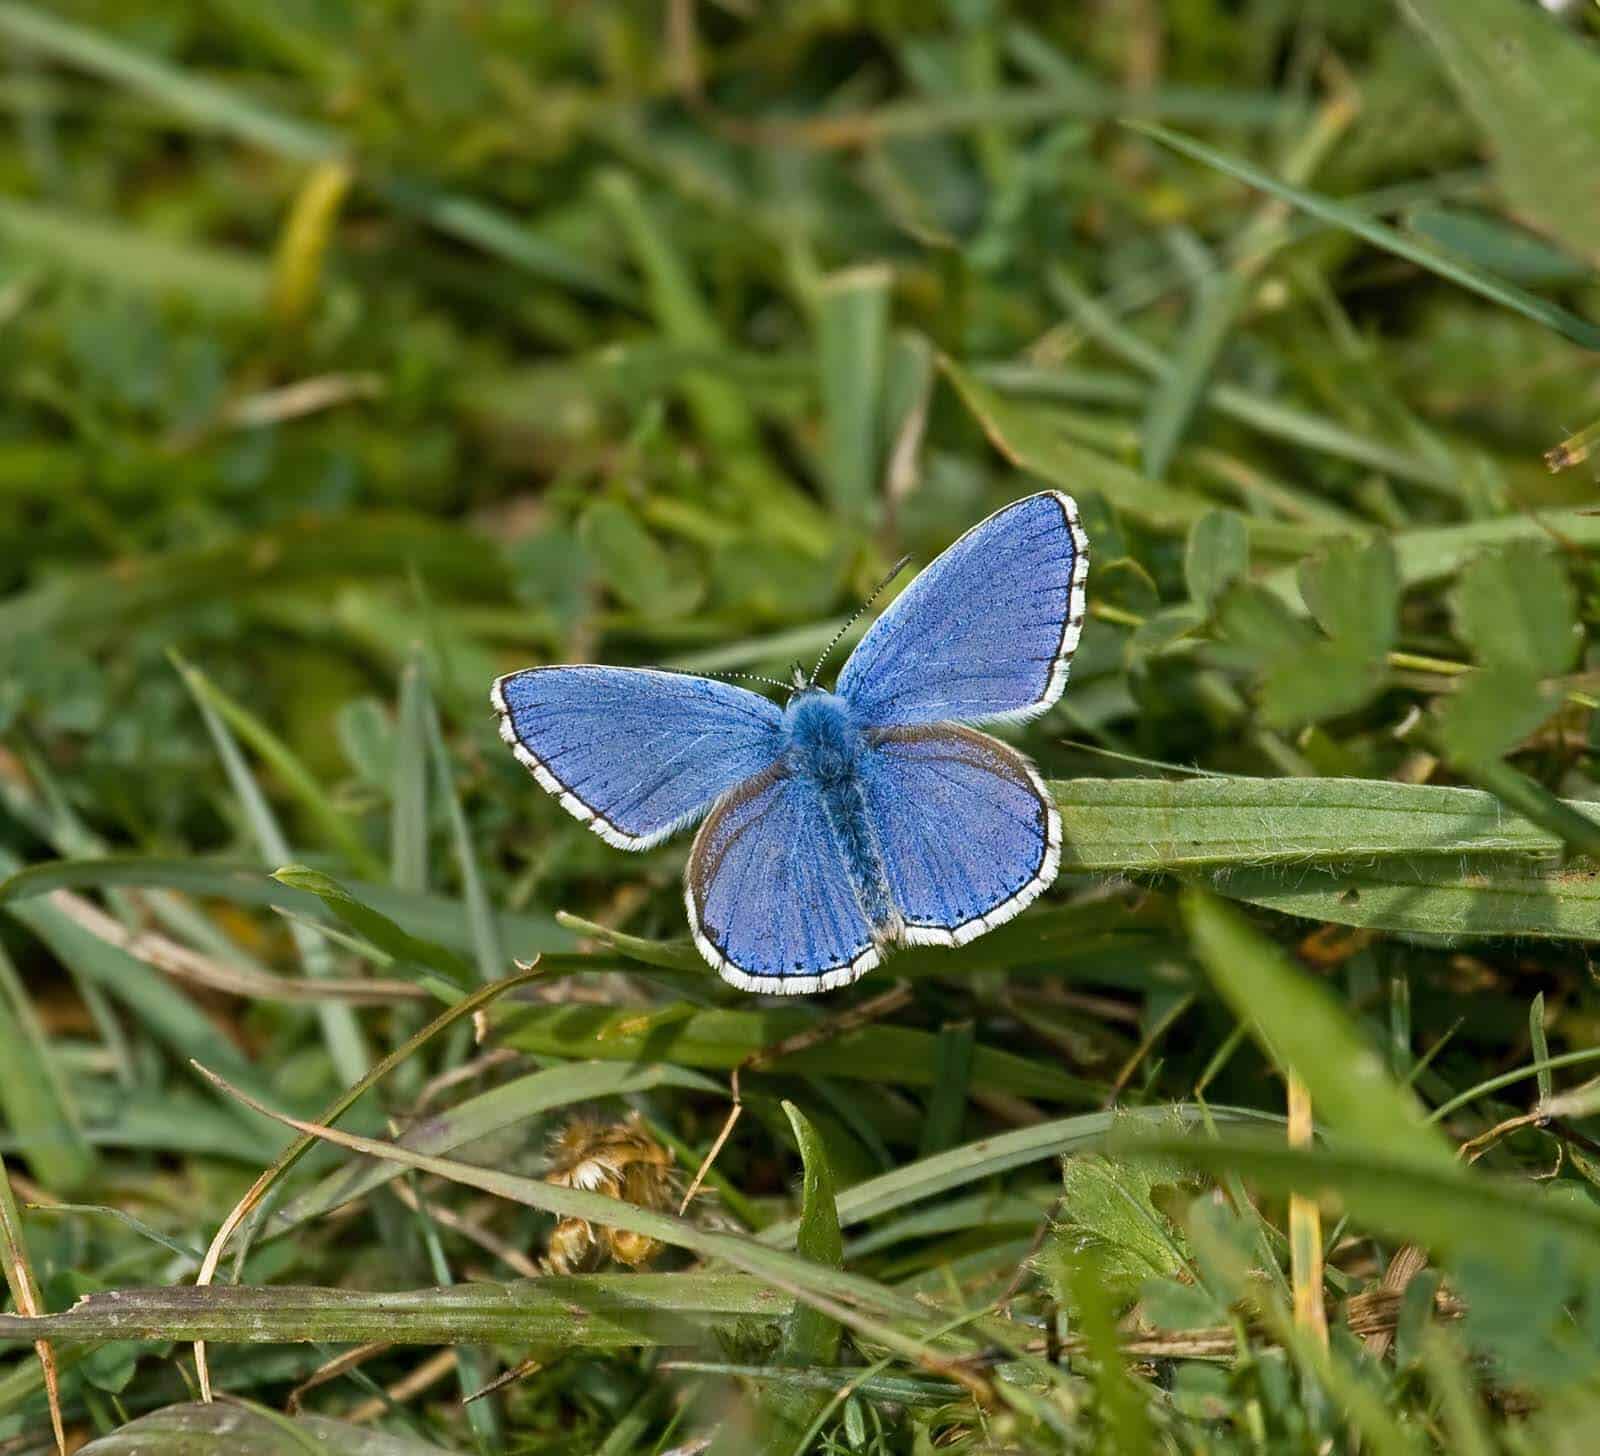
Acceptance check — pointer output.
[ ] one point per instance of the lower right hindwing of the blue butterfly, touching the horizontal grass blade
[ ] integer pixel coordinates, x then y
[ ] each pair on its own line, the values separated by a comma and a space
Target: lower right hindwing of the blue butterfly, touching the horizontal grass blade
967, 830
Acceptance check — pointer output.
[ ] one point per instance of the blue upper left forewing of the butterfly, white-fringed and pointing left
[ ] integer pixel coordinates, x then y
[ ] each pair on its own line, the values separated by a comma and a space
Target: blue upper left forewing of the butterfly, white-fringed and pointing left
634, 753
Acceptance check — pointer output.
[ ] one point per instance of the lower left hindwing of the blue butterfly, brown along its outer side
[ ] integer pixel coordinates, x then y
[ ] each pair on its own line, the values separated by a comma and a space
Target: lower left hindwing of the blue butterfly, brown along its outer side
769, 895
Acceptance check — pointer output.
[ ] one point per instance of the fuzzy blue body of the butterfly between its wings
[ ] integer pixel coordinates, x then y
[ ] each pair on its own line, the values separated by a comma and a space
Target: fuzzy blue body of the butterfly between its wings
826, 745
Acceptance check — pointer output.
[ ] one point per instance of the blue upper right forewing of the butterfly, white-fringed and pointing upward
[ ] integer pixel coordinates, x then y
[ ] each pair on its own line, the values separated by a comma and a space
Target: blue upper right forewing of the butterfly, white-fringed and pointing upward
986, 631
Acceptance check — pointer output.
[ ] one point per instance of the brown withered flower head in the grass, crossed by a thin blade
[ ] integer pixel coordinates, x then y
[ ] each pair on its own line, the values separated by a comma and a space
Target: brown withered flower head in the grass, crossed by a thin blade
622, 1161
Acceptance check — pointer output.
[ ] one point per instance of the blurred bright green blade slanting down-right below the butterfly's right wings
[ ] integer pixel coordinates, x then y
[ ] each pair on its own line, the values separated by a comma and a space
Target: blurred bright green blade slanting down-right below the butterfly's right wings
1306, 1031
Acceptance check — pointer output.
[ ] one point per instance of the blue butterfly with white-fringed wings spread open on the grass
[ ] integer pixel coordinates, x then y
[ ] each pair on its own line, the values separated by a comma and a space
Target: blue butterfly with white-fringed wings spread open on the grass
854, 822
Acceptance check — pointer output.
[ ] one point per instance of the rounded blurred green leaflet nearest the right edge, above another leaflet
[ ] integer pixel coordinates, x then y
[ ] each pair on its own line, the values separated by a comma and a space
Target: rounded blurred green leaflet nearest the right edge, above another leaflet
1518, 610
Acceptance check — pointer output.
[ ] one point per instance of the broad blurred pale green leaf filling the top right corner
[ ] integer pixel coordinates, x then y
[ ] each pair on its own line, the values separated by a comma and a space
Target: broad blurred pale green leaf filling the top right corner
1535, 89
